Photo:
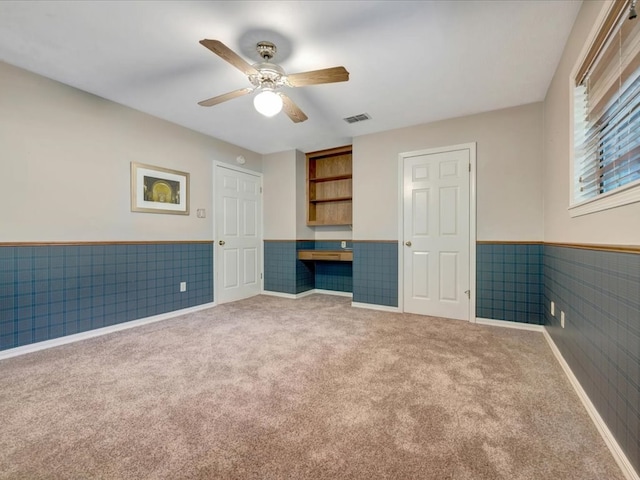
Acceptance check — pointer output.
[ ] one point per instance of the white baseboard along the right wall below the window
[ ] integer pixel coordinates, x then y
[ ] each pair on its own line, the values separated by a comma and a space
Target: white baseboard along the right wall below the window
619, 456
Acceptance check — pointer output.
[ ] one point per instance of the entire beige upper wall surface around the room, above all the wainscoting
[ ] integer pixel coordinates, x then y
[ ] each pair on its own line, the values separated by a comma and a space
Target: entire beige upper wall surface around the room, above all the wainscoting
65, 156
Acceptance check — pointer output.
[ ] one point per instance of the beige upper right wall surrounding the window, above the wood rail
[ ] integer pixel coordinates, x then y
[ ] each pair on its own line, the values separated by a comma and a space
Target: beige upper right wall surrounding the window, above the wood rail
619, 226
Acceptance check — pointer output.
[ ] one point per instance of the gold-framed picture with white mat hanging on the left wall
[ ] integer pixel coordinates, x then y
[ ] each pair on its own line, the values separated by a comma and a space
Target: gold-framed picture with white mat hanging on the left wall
159, 190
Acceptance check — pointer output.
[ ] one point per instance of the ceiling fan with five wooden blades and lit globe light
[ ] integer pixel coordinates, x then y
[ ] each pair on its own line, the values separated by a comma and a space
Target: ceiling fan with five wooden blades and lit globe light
267, 78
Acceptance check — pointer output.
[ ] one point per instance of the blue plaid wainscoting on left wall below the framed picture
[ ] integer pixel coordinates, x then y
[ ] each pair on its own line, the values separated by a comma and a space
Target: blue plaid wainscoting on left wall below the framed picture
49, 291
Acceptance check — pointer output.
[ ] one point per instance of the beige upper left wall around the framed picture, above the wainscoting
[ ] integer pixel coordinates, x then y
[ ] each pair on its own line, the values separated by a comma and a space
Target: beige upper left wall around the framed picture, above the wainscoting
65, 165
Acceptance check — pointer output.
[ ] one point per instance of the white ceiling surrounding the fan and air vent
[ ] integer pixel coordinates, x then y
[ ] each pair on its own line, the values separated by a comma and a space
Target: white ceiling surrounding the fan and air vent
410, 62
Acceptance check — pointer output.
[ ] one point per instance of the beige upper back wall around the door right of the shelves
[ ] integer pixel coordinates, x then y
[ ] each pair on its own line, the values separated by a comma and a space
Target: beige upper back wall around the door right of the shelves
509, 173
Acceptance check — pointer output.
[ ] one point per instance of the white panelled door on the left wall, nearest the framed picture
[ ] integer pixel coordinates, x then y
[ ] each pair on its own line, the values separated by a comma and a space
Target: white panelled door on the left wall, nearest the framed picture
238, 261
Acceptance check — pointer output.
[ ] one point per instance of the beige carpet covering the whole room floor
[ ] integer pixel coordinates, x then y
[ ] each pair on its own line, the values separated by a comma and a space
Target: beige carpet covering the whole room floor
271, 388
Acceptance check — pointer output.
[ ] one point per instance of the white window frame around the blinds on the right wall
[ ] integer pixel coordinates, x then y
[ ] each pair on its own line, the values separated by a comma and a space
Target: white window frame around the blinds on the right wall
625, 195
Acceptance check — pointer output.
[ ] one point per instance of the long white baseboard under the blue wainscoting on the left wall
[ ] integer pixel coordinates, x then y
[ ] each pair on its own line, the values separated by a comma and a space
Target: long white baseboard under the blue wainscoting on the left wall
76, 337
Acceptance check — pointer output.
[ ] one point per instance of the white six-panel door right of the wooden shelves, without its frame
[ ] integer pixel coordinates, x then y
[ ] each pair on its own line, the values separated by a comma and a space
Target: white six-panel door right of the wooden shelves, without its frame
436, 241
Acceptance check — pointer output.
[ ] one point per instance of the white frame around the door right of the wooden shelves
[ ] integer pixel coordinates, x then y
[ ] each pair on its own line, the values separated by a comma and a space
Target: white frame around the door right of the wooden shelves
472, 219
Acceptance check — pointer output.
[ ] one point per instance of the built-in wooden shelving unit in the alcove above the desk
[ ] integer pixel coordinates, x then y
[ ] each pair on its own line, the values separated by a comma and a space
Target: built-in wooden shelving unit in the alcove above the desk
329, 187
